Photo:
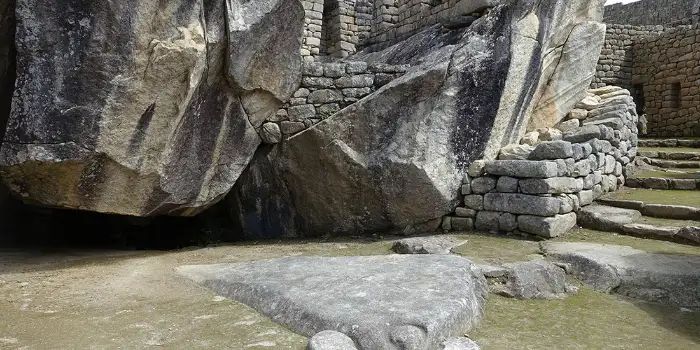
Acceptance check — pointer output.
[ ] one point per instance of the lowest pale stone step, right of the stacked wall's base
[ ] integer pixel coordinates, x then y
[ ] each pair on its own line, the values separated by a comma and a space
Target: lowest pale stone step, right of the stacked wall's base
631, 222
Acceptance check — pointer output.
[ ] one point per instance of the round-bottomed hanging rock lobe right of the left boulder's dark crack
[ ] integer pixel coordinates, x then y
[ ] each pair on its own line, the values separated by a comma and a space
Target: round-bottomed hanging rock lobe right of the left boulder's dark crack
264, 45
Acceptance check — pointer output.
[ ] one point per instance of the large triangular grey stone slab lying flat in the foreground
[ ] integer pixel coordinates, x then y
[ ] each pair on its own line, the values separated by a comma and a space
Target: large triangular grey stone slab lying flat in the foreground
381, 302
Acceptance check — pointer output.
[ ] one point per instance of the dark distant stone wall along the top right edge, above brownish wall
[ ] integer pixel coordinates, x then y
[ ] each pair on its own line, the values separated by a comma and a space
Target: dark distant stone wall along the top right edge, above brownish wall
649, 12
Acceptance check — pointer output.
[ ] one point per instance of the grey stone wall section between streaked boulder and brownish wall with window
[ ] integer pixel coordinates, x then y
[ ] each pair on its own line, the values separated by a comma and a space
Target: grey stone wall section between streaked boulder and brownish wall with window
617, 57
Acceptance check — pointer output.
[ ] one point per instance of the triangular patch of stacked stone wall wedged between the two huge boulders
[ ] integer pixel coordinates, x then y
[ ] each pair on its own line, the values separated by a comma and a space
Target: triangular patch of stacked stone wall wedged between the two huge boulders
326, 88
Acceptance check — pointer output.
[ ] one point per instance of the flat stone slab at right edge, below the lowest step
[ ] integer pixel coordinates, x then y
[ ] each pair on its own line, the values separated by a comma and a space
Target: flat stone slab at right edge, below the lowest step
663, 278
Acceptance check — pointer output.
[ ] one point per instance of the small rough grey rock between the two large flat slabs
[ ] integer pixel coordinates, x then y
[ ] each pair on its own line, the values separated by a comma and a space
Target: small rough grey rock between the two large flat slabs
536, 279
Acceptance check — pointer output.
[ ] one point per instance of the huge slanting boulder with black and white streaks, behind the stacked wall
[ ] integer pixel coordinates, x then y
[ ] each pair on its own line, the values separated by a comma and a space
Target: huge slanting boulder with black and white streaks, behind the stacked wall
397, 157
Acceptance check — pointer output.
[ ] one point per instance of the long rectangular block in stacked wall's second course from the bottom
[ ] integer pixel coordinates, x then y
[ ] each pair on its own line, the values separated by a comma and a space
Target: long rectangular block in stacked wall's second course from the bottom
517, 203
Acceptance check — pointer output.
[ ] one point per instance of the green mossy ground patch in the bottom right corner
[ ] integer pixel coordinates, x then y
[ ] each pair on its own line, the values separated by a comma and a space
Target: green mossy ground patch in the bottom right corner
587, 320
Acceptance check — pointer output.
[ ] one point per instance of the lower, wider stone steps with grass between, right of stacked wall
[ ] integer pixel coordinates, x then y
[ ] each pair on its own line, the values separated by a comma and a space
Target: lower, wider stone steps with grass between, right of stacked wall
656, 214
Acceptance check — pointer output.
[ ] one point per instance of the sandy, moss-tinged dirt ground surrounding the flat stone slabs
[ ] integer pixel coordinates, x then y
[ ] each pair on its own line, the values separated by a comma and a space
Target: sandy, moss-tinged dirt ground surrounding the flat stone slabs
132, 300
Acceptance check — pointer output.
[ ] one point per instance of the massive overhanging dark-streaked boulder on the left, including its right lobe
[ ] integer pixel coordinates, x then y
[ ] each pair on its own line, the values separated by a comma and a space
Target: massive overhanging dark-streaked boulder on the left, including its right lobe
139, 117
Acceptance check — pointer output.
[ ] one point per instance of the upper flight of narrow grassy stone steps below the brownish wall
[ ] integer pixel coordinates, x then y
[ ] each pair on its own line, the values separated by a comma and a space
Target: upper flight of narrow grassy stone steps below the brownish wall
667, 164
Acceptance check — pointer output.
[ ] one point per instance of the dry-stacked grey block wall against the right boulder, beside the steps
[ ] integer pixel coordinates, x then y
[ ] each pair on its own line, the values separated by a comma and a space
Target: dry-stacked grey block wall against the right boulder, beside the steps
536, 187
